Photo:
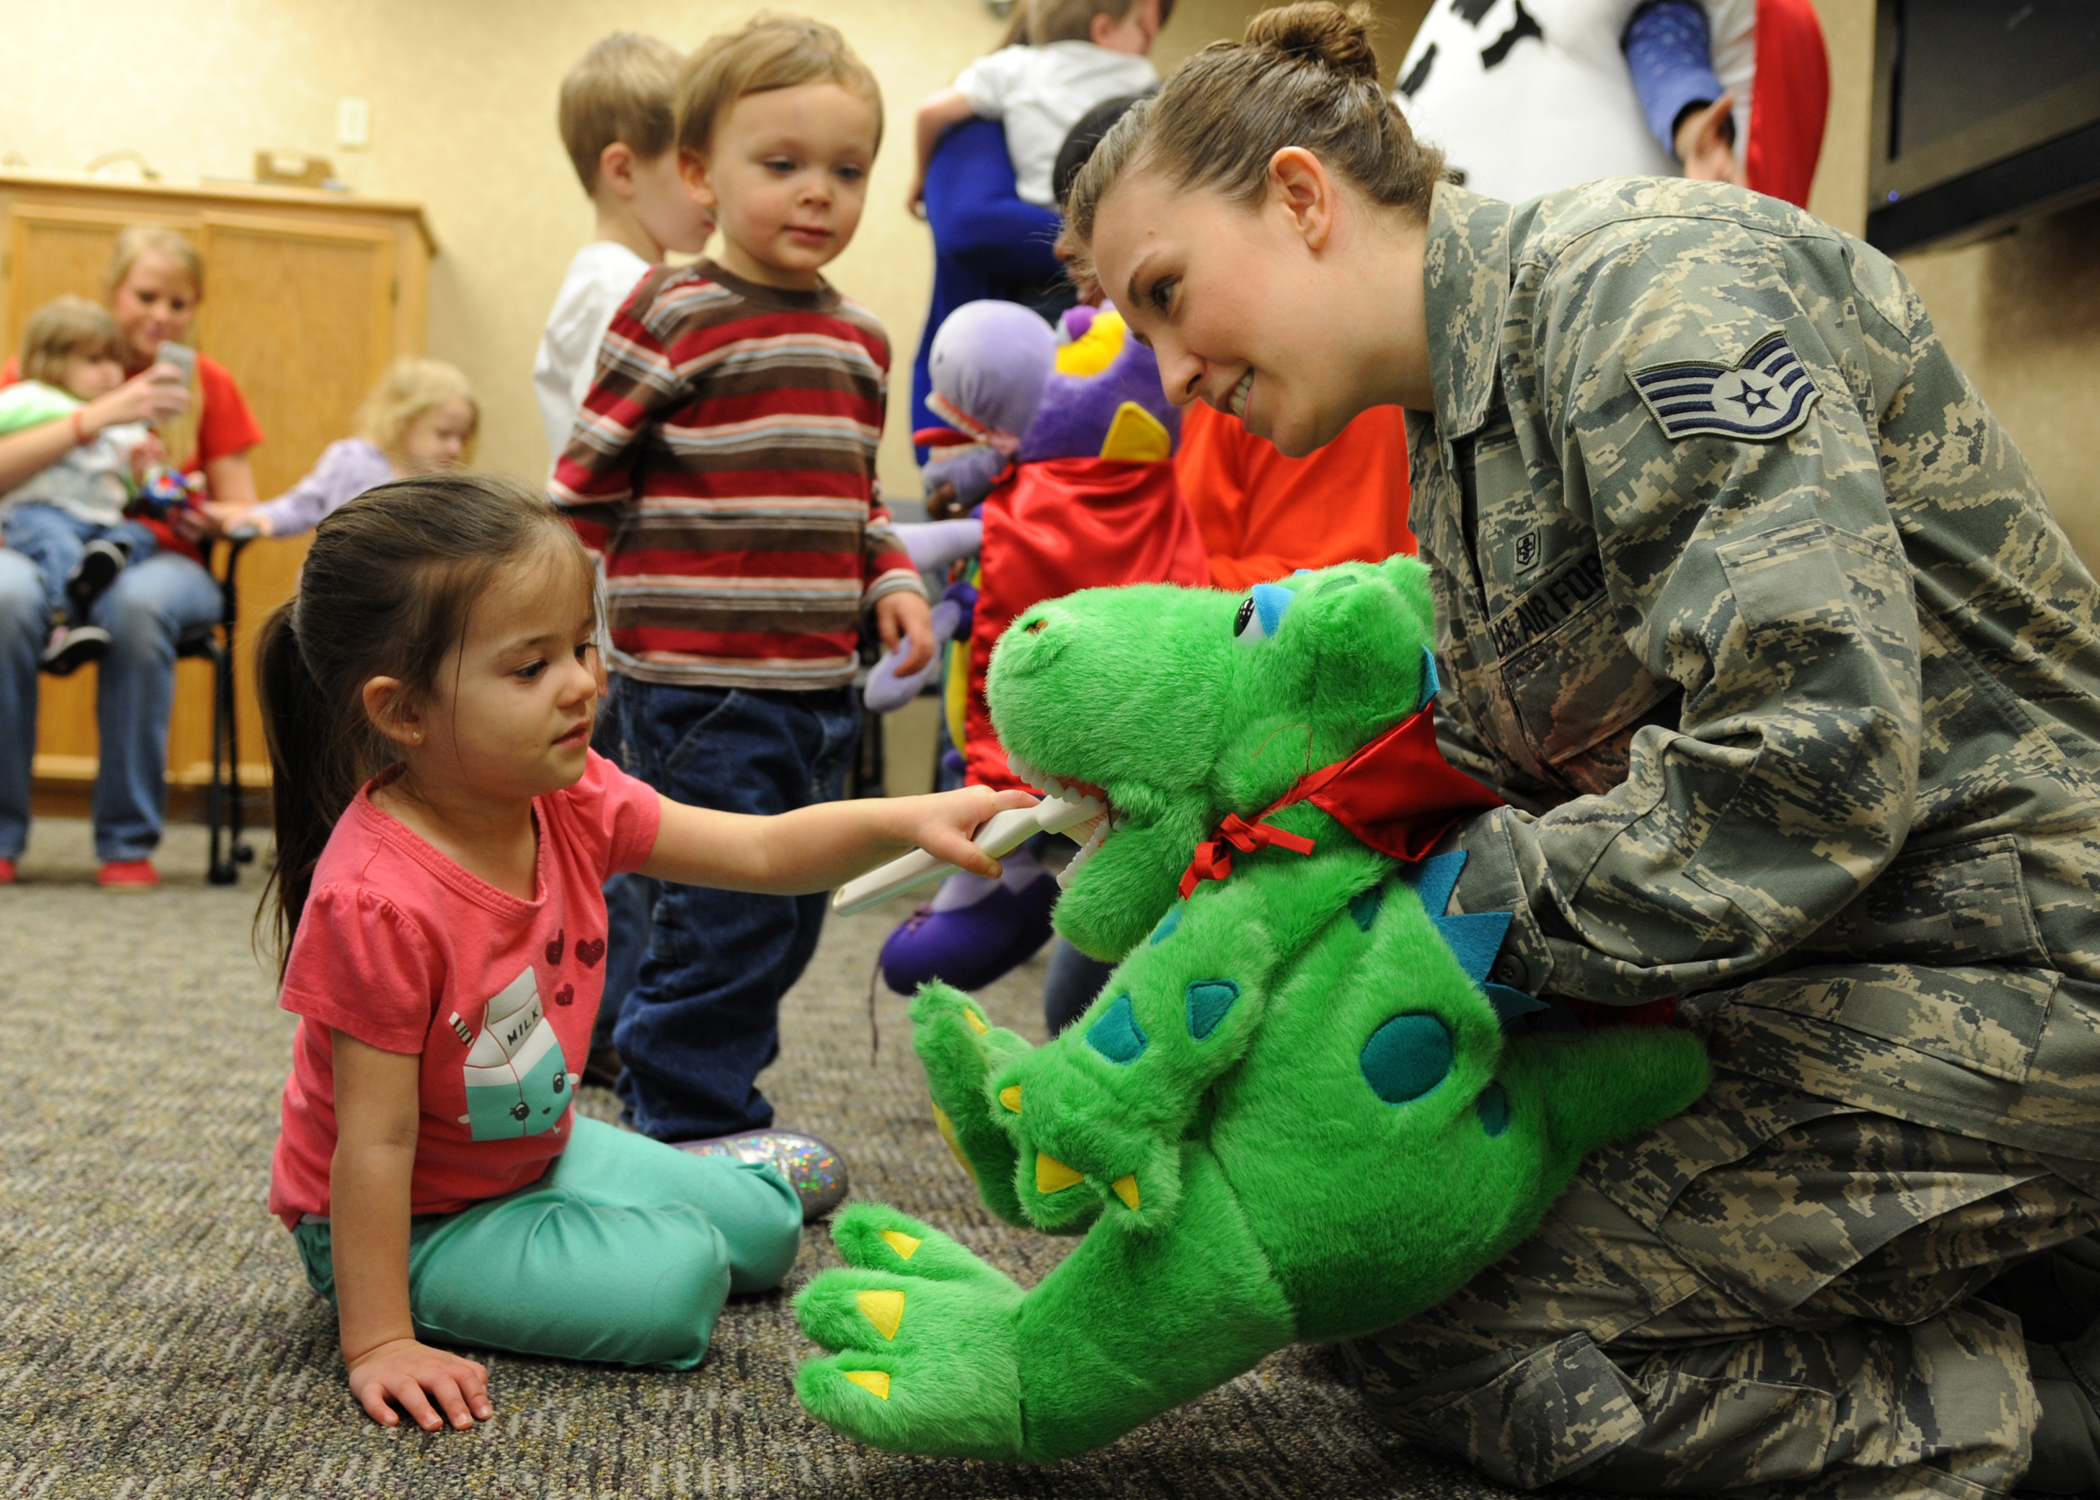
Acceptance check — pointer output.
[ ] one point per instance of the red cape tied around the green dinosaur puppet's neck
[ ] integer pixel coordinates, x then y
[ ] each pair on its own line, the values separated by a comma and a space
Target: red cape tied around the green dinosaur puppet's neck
1398, 795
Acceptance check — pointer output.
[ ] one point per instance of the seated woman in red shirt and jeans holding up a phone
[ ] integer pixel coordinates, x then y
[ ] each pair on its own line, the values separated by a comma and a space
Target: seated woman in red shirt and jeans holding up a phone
156, 280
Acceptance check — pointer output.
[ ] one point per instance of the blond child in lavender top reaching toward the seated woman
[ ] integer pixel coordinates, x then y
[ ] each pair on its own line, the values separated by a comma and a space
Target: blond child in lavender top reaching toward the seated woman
419, 421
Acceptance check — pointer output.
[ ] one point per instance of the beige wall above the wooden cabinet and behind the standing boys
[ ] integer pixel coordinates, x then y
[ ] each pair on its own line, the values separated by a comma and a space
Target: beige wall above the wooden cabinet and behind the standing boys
463, 121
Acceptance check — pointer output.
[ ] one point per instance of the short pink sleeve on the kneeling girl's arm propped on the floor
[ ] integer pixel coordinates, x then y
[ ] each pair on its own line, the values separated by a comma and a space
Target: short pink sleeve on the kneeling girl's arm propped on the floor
364, 967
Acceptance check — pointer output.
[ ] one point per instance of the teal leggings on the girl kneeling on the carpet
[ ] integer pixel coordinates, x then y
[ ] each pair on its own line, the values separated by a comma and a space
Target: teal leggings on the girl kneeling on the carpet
623, 1253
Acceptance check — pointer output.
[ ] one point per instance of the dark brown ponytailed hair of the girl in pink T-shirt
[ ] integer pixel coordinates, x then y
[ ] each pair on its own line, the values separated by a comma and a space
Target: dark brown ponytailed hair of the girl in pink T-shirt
387, 589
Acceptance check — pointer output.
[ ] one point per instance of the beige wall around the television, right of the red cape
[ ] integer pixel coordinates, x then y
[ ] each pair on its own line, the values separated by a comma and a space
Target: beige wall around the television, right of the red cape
2021, 314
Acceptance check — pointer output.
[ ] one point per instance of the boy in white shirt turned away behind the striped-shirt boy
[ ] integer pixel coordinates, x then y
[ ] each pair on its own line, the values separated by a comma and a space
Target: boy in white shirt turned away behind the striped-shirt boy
616, 123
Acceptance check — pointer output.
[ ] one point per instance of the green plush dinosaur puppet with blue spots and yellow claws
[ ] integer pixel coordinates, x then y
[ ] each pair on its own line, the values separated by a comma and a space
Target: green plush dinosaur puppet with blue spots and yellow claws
1295, 1110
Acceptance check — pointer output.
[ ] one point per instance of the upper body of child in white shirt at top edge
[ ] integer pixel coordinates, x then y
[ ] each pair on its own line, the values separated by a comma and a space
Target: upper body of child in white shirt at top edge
1080, 54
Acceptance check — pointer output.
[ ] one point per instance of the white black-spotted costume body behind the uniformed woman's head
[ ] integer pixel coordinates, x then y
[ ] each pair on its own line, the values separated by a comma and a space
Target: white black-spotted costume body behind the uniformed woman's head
1534, 96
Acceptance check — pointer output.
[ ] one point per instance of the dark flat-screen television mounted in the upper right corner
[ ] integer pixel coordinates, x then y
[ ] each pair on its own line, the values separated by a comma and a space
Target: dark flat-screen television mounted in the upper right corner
1986, 112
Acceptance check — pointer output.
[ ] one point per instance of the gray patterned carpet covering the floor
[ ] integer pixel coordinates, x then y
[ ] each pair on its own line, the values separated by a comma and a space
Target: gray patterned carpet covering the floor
156, 1337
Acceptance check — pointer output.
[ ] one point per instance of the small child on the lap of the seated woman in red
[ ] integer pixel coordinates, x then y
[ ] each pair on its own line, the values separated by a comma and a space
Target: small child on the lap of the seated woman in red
70, 516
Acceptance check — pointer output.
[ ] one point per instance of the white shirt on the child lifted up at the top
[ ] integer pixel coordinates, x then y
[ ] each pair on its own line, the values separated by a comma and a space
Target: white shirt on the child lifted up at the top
1041, 93
